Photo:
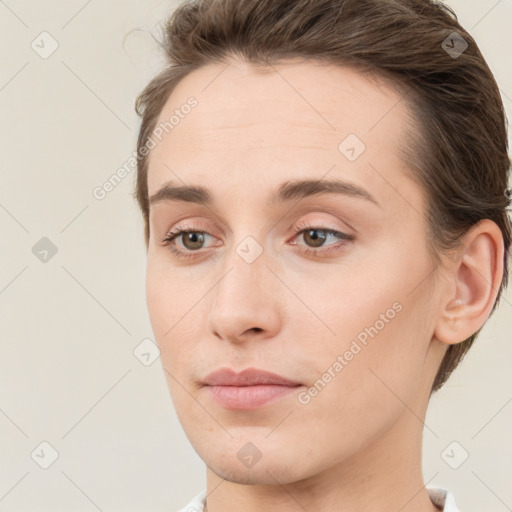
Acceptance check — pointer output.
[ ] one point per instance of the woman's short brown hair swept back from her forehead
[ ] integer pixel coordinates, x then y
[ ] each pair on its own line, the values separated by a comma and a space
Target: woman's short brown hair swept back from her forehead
461, 159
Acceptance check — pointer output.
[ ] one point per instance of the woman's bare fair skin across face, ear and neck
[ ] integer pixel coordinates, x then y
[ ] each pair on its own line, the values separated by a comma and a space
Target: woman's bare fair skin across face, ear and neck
357, 444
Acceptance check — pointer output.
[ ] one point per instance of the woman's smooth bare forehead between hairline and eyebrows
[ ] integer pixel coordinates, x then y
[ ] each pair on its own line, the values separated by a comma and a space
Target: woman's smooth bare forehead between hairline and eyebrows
286, 120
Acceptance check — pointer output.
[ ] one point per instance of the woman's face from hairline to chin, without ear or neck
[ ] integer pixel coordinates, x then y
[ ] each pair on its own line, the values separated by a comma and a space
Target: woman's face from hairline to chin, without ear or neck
329, 288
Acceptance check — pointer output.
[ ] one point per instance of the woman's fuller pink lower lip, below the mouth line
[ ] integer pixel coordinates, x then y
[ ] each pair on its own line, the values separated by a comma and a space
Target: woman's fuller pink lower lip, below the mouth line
249, 397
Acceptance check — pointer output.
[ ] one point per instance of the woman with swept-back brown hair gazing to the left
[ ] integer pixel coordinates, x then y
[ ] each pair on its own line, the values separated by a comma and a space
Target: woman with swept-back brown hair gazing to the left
324, 190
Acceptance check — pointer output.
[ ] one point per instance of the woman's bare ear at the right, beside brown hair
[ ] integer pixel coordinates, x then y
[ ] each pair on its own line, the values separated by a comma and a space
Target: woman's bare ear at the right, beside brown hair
474, 278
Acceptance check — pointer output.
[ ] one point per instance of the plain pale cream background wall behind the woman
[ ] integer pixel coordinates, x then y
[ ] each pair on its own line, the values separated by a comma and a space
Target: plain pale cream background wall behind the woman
68, 374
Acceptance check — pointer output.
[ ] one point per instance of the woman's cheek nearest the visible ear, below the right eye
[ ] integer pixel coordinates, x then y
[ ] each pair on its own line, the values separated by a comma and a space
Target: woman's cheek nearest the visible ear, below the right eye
379, 329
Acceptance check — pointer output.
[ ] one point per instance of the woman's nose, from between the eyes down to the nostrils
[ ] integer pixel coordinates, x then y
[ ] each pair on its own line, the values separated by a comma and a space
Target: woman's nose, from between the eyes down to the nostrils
245, 302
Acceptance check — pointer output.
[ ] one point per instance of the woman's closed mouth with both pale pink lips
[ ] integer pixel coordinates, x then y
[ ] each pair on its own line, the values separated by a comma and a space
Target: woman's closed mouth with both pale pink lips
249, 389
